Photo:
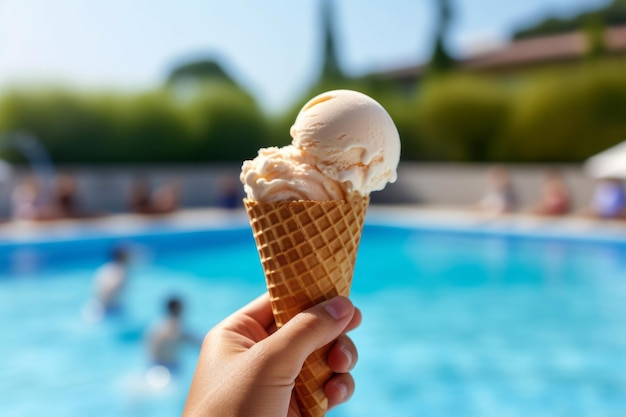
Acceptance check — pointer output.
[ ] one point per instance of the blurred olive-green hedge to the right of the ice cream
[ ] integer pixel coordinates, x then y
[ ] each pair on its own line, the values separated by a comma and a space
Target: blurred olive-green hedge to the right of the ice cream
564, 114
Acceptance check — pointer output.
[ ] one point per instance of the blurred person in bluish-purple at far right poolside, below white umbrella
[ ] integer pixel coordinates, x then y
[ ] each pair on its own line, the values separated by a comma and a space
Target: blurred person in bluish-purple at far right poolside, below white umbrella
609, 199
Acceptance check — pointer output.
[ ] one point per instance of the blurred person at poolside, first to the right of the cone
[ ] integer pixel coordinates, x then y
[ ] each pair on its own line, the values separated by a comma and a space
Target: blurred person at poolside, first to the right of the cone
500, 196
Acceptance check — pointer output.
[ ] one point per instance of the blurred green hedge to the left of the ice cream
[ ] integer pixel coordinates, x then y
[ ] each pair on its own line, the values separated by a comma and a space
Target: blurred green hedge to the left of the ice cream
219, 122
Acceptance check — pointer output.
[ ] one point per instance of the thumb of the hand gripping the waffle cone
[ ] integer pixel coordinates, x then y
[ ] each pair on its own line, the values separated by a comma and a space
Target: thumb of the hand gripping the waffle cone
309, 331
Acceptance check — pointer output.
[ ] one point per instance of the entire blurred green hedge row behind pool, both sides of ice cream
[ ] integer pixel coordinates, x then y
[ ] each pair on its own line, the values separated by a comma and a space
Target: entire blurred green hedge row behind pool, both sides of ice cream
561, 114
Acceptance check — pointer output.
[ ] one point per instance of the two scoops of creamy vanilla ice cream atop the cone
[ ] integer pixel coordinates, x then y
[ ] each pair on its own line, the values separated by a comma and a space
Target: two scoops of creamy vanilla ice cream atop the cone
344, 145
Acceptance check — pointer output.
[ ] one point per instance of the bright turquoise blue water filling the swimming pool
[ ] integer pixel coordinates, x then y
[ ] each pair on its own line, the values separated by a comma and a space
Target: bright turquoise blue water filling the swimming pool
454, 324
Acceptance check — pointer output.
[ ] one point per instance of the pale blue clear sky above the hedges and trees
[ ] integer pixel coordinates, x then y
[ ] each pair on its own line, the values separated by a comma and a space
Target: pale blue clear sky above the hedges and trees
272, 47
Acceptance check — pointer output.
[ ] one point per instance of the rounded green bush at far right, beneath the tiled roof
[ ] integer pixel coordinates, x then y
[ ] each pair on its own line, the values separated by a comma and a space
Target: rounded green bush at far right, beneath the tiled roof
566, 115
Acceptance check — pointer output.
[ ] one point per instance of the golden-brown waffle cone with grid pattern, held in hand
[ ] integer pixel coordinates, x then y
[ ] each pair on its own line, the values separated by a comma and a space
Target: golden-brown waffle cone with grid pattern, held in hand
308, 251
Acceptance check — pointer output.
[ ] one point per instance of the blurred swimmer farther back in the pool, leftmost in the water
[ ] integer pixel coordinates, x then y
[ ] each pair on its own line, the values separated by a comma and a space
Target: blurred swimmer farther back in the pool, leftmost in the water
110, 280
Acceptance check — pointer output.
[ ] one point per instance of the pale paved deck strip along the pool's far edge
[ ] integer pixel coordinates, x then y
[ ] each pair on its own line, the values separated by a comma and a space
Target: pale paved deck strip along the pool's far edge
422, 217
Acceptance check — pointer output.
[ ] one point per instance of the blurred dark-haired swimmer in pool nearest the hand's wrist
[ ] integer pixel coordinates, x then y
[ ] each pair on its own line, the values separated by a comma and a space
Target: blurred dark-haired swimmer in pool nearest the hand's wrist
167, 337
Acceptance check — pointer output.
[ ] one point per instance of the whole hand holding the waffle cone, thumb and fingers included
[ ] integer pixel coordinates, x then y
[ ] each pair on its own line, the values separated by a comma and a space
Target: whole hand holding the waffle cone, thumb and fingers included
248, 368
